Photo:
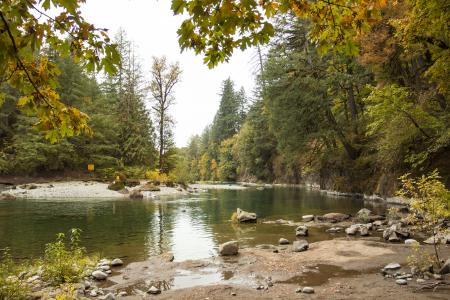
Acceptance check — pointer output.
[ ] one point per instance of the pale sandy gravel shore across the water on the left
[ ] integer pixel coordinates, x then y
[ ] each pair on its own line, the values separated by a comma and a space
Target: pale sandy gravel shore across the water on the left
79, 189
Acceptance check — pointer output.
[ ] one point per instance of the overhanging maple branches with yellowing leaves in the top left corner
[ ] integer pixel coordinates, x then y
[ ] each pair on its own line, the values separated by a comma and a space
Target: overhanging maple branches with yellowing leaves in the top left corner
26, 28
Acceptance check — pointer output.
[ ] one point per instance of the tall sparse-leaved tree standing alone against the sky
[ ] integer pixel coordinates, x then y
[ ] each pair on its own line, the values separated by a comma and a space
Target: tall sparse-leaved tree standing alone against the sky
164, 78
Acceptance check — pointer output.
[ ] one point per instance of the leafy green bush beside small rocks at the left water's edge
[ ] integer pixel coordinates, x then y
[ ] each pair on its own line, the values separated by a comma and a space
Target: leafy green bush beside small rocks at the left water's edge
65, 264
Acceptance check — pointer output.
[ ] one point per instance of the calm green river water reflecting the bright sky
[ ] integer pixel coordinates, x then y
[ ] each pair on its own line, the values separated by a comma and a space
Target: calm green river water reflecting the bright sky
191, 226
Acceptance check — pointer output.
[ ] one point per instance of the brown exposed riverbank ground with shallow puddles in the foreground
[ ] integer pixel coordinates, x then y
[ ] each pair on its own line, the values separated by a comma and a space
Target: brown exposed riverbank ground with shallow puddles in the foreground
337, 269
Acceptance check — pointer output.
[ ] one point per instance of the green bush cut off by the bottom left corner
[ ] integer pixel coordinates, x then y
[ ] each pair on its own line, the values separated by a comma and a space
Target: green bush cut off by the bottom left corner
11, 287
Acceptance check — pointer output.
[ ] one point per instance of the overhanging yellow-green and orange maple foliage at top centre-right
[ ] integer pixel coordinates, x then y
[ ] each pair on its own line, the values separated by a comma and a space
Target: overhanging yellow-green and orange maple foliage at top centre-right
215, 28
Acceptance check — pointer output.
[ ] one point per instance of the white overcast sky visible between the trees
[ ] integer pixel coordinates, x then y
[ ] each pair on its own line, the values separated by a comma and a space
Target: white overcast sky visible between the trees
151, 25
